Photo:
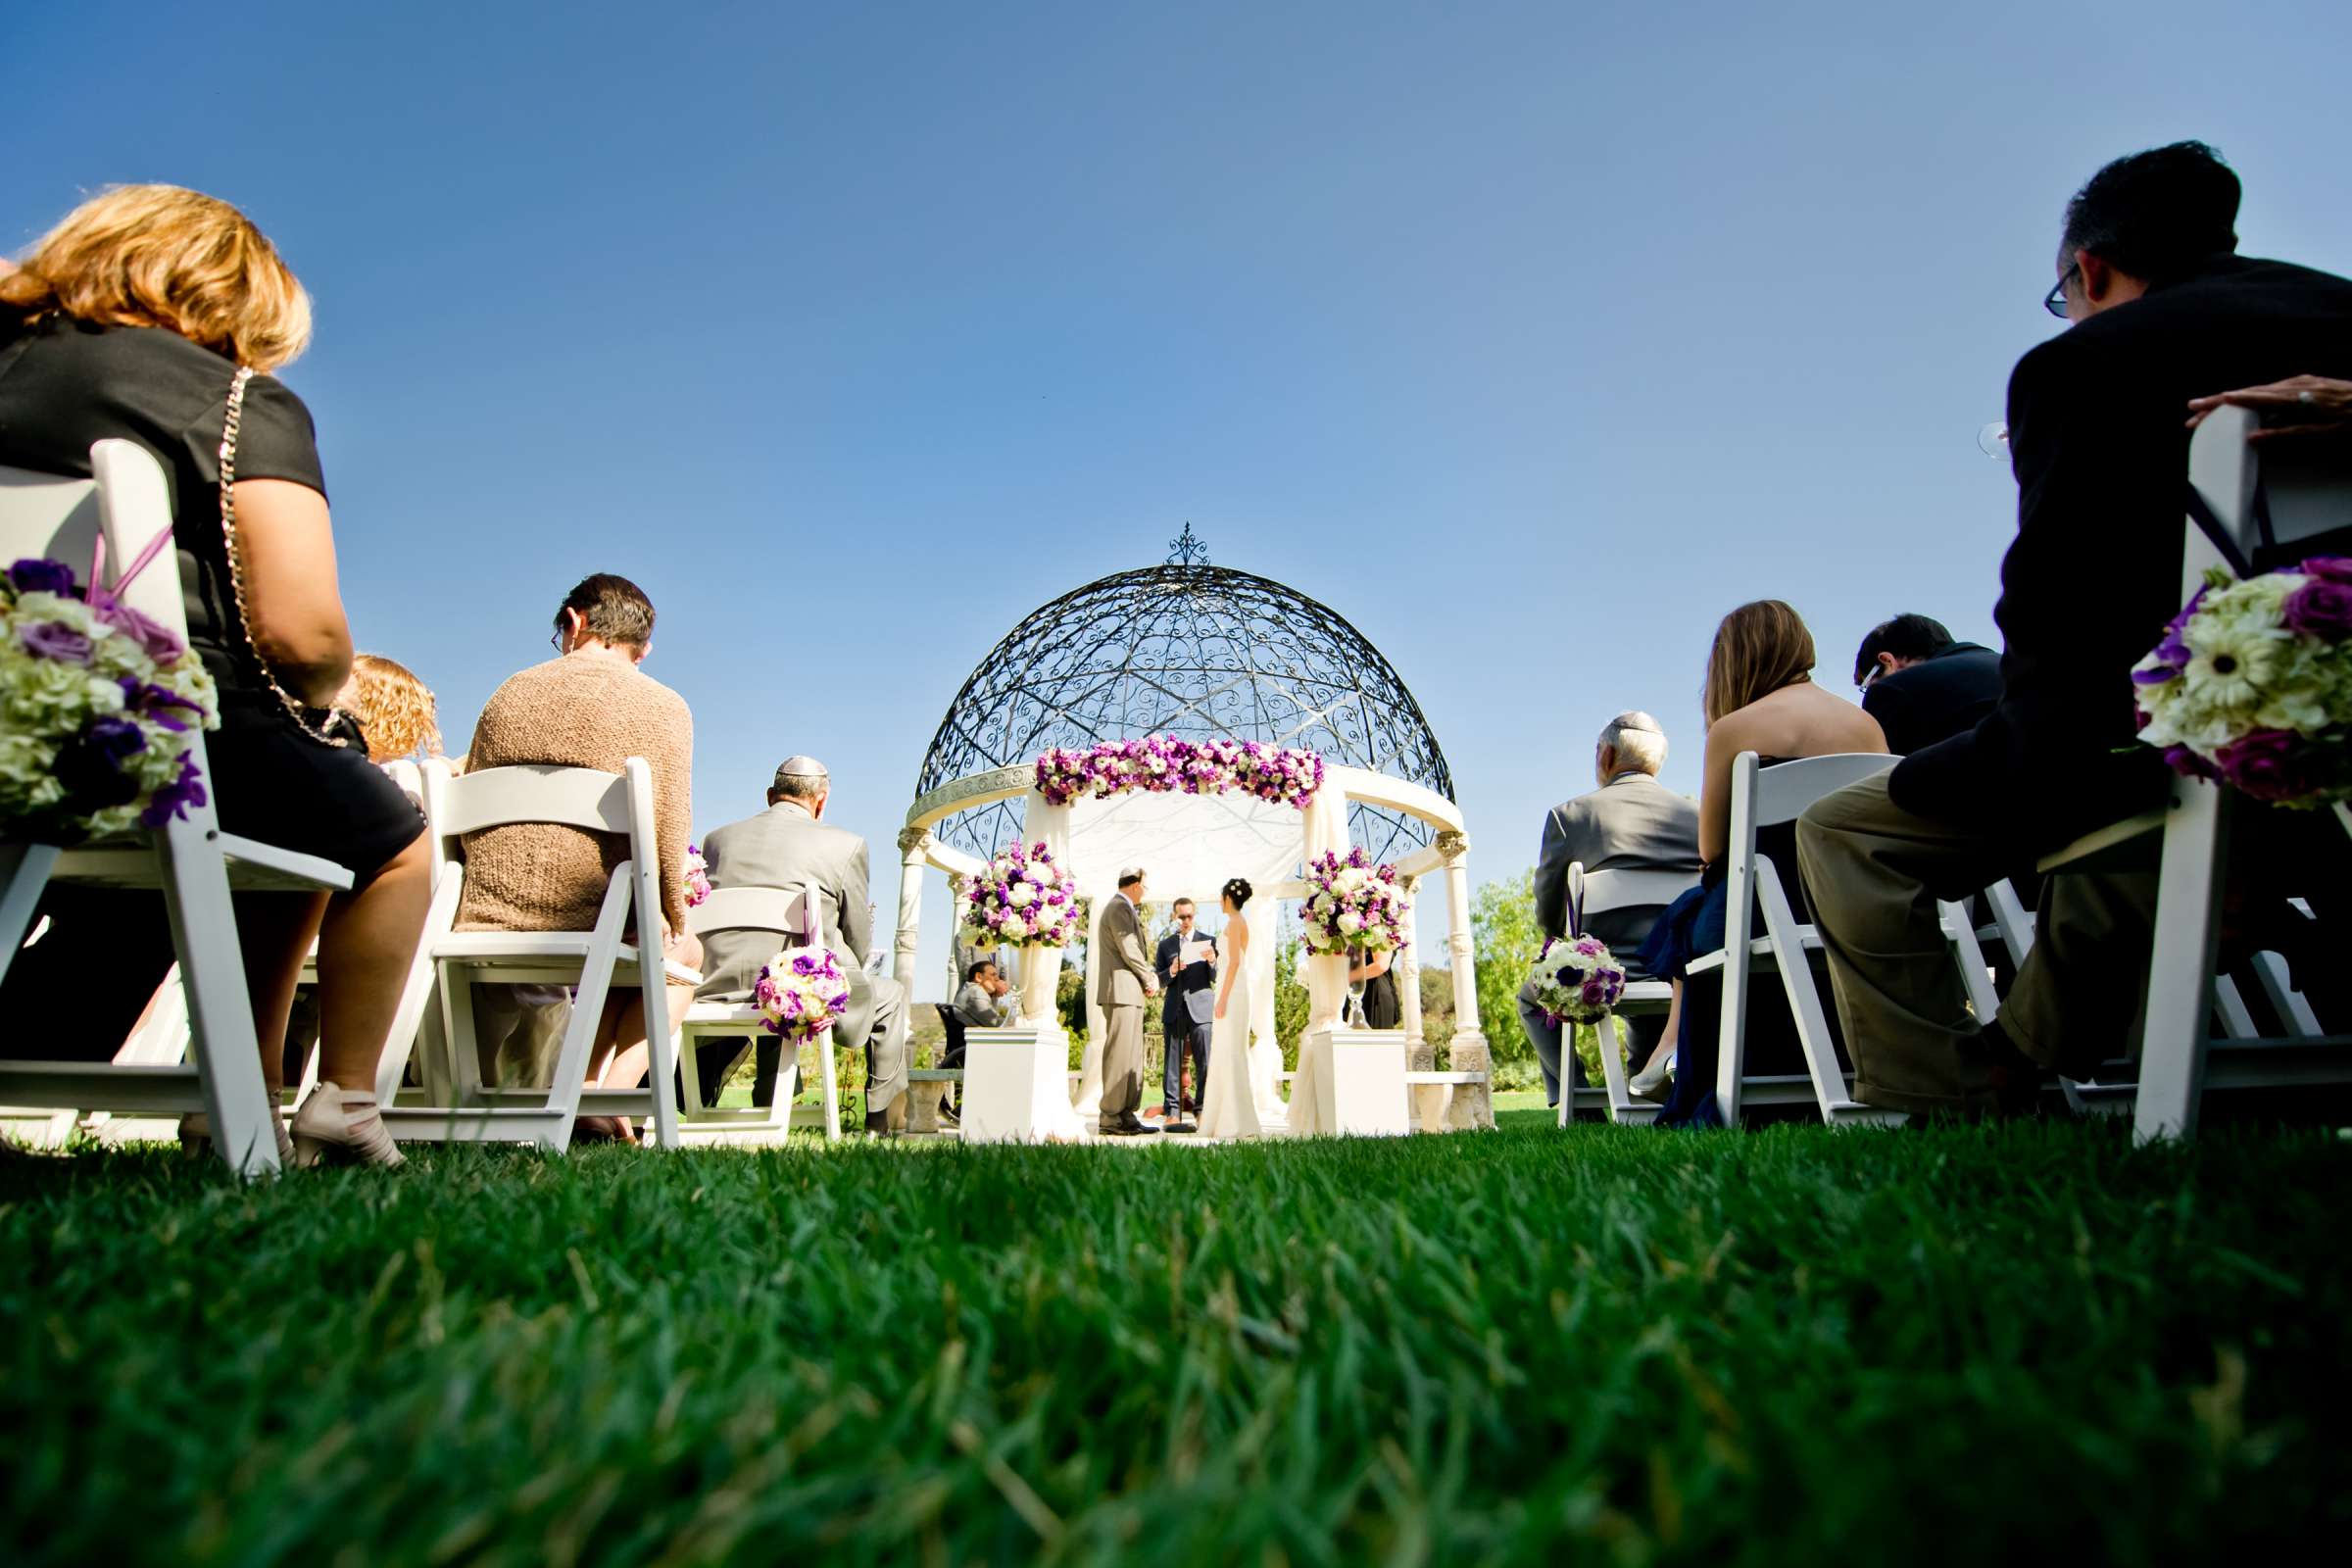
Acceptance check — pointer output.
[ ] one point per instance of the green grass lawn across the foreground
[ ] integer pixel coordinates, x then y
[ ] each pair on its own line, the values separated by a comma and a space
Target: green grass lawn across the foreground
1793, 1346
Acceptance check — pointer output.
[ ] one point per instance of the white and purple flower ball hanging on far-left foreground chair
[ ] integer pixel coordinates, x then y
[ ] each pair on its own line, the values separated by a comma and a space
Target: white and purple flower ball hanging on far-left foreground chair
95, 711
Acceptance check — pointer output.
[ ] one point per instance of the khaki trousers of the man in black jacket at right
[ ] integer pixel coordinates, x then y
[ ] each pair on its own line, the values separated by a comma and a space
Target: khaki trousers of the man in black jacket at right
1873, 873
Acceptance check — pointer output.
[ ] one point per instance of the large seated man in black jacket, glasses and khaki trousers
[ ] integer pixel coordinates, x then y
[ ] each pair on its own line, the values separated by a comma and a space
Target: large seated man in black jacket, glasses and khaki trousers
2163, 314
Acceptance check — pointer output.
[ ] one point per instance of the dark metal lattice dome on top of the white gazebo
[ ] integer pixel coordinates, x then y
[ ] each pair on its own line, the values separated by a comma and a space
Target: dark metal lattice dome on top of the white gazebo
1198, 652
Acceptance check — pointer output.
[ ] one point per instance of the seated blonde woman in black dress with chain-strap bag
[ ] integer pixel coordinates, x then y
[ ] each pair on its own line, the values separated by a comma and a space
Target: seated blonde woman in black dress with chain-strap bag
152, 314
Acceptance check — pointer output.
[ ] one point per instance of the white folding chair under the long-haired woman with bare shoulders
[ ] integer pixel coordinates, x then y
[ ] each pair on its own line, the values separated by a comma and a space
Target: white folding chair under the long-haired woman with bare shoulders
1768, 798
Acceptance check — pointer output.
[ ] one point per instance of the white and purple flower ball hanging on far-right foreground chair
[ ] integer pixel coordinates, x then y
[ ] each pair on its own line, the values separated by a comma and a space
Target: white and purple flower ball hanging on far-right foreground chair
2254, 685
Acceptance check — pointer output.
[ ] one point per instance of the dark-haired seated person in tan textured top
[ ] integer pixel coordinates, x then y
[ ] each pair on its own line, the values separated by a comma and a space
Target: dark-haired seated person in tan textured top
587, 709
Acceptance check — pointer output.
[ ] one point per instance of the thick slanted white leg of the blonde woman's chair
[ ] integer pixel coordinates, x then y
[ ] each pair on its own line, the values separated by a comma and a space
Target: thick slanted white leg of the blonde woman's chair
220, 1007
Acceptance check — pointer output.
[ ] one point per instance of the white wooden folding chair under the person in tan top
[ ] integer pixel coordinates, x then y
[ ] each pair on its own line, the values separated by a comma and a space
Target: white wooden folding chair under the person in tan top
592, 960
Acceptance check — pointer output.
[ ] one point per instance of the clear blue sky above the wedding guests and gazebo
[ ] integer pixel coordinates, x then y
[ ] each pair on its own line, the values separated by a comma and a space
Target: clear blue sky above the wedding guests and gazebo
1530, 337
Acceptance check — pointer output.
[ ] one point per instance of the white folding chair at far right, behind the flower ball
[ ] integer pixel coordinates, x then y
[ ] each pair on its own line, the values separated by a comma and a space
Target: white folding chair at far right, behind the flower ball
2257, 509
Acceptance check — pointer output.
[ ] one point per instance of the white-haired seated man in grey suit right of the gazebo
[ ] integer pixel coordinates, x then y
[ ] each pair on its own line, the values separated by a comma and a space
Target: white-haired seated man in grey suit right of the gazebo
1629, 824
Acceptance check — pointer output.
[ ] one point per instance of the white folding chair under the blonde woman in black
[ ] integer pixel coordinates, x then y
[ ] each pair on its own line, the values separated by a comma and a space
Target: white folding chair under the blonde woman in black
189, 859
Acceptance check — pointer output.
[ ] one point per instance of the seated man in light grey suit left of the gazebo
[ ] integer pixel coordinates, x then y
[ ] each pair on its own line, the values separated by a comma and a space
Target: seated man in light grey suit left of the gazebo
787, 847
